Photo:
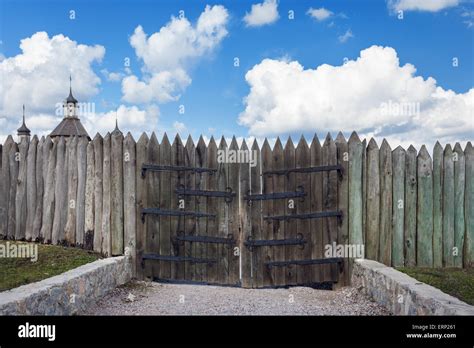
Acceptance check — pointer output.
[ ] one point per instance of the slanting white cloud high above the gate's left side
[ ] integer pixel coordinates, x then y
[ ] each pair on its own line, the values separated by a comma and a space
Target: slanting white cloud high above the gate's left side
167, 54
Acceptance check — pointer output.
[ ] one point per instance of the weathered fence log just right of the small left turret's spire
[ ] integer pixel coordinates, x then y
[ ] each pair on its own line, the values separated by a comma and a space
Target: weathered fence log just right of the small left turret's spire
31, 188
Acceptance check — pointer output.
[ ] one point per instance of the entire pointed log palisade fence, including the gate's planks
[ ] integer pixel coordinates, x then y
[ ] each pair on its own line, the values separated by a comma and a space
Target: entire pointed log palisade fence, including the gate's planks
408, 208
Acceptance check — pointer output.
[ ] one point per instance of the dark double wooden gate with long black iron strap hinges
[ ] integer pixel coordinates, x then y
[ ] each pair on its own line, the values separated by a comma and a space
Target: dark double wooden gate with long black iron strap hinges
226, 215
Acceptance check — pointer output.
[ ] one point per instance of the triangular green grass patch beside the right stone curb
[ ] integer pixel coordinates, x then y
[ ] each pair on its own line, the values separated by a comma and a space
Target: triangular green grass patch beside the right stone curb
454, 281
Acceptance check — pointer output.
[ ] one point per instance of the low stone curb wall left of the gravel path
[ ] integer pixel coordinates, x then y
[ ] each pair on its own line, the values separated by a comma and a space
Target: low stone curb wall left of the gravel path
70, 292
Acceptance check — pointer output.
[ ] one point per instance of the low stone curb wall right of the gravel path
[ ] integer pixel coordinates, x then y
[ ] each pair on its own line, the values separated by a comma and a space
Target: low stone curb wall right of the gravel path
402, 294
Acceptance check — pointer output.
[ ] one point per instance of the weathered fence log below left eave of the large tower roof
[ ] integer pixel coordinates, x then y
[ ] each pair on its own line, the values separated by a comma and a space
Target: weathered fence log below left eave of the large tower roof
60, 192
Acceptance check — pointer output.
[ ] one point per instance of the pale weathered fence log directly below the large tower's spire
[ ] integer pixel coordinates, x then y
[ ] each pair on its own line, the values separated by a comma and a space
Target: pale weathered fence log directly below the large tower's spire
72, 180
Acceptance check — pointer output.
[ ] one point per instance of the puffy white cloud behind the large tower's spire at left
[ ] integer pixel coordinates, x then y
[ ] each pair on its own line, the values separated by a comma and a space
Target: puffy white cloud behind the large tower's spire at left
39, 78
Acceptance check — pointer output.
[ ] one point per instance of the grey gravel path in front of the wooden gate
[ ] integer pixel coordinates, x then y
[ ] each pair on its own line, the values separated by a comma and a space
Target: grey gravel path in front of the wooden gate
146, 298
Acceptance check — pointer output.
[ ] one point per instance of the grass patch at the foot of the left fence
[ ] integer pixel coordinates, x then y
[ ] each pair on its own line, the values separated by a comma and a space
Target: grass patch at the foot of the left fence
52, 260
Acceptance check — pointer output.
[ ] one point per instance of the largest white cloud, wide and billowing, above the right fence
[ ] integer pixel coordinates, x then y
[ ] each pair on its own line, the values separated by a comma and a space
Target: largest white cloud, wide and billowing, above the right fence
284, 97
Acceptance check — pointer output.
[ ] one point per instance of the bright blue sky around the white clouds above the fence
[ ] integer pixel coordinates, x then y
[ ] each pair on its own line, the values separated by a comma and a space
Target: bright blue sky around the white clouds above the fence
429, 40
